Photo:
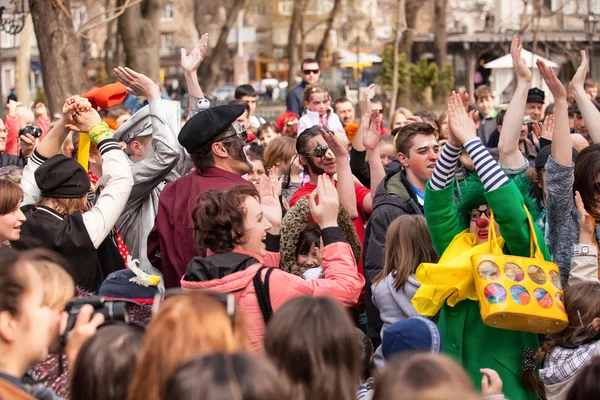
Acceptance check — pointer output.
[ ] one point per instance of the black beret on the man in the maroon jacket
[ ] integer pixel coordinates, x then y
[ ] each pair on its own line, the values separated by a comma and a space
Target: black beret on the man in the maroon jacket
204, 126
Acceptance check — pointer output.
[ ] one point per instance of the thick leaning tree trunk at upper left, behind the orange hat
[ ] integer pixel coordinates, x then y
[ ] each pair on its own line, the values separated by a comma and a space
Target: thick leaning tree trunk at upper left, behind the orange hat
59, 47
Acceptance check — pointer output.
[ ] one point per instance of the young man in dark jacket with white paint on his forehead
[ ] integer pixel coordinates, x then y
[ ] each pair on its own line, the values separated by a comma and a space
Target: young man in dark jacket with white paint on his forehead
401, 192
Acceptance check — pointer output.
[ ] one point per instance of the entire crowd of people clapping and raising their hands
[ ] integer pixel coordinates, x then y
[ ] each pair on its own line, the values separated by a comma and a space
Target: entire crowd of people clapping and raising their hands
318, 256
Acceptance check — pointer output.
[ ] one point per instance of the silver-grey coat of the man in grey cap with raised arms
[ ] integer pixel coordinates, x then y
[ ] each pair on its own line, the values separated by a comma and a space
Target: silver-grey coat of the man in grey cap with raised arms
150, 176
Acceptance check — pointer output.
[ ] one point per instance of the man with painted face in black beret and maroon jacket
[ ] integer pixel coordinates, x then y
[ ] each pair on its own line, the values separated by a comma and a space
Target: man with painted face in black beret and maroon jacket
215, 141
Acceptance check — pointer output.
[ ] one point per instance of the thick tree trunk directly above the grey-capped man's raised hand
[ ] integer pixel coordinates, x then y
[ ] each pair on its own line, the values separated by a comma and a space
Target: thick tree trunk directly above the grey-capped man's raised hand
138, 27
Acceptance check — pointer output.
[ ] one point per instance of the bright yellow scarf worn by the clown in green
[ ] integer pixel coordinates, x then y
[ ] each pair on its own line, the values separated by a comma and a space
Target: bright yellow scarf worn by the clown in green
451, 279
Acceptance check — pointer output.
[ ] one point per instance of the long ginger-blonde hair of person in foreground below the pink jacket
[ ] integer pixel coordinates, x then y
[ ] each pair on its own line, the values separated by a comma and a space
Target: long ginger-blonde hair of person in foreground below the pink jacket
186, 326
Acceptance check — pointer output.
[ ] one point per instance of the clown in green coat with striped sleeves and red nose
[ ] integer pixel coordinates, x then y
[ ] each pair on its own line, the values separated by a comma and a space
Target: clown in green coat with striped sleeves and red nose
463, 227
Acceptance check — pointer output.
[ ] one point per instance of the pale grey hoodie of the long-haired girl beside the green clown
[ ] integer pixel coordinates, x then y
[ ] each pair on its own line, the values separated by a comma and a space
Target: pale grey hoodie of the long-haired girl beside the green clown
394, 305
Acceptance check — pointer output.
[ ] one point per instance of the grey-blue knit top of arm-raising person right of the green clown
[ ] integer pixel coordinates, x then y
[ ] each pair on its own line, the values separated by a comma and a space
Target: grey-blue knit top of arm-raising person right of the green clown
562, 215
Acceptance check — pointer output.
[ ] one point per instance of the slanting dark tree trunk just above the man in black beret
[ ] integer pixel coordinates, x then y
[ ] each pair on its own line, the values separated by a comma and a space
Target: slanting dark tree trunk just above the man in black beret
210, 68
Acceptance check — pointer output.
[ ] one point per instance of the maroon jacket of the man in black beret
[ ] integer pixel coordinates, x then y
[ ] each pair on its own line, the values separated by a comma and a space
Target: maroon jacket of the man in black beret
171, 244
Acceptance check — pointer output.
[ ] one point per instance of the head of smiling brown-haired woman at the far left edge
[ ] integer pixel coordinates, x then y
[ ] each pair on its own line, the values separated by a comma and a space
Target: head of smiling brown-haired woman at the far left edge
11, 217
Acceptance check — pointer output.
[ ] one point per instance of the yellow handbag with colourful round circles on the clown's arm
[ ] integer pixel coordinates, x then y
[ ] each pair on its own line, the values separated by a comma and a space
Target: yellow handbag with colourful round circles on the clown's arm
519, 293
